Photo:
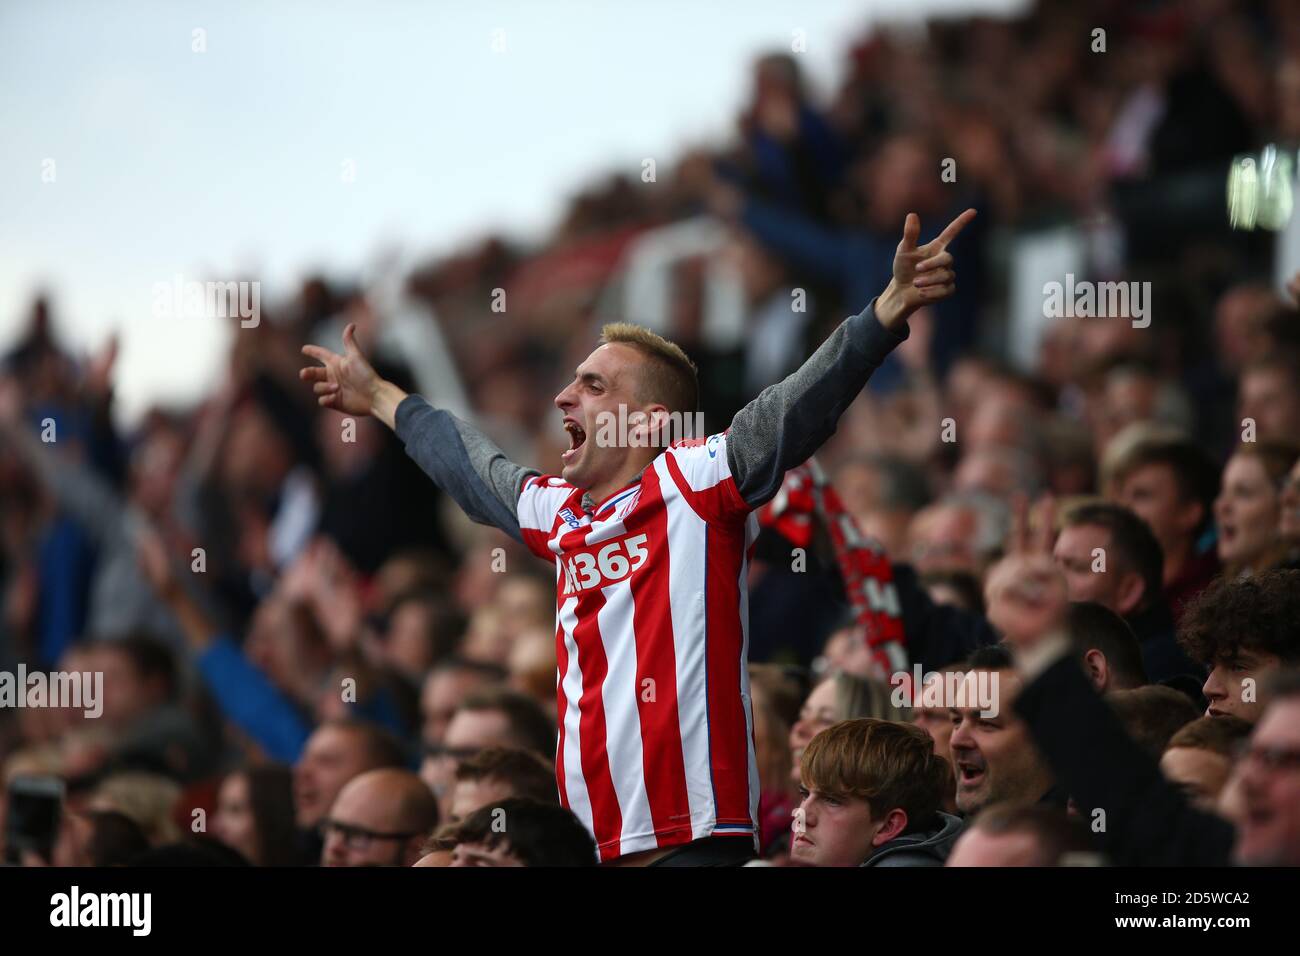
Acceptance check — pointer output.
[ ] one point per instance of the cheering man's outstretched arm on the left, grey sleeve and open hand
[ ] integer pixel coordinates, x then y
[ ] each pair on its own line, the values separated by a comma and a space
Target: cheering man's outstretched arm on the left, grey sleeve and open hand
460, 458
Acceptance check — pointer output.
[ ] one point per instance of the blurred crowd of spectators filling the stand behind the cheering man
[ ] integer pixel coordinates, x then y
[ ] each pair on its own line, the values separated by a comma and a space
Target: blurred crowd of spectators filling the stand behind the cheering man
313, 654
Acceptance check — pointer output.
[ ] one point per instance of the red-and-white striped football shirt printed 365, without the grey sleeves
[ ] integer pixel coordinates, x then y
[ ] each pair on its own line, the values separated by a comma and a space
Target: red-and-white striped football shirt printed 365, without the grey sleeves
656, 730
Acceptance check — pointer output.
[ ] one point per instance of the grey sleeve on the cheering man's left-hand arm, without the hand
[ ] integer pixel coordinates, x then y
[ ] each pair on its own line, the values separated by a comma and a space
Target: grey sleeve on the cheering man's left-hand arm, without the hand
463, 462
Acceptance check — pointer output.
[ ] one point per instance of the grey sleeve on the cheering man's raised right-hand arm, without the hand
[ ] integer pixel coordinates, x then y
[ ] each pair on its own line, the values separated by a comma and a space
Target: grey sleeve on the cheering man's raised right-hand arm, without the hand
791, 421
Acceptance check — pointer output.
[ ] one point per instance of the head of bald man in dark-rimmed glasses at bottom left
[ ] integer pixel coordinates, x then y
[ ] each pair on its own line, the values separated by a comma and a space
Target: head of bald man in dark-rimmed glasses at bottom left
380, 819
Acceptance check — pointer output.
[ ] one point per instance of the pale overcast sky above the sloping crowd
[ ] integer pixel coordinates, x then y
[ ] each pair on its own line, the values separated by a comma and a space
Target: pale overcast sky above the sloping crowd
330, 136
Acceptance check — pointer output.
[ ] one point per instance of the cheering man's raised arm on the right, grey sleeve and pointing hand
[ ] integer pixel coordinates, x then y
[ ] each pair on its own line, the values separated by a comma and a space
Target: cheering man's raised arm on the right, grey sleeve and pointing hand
791, 421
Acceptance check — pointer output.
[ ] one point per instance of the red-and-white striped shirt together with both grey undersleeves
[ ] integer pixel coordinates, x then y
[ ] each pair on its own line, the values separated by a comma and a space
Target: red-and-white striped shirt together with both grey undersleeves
656, 729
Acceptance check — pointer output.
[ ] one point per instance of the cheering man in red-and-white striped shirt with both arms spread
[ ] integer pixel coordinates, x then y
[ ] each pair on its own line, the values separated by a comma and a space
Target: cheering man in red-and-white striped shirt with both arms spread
656, 751
